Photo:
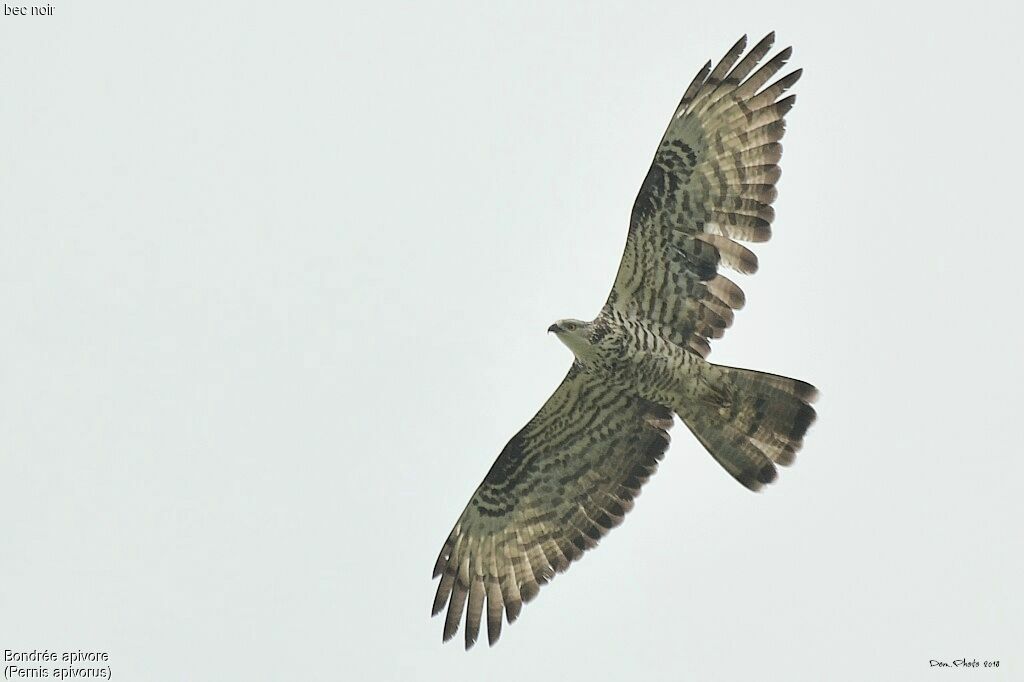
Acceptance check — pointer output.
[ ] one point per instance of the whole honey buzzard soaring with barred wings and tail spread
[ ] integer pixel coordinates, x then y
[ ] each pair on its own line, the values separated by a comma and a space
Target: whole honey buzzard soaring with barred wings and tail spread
573, 473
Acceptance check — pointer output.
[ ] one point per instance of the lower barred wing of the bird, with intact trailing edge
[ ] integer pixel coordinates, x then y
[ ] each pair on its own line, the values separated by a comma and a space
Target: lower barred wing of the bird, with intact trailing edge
561, 484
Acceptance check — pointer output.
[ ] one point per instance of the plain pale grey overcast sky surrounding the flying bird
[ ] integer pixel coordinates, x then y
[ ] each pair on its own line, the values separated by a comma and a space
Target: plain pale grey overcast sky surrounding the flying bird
275, 281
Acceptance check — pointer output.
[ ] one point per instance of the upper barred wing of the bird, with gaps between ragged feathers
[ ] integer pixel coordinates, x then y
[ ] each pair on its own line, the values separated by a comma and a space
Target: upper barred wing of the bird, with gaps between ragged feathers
711, 187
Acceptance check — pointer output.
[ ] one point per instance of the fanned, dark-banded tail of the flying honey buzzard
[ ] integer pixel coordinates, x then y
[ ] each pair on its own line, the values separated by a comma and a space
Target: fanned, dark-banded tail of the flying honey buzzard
750, 421
